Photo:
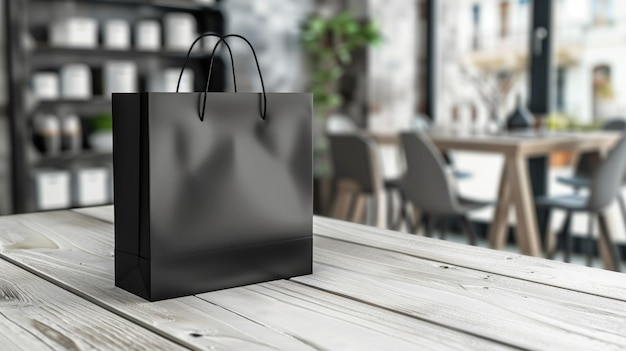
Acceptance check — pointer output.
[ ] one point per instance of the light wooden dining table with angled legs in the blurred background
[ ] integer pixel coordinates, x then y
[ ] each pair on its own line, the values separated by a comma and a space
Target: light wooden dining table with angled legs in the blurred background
515, 188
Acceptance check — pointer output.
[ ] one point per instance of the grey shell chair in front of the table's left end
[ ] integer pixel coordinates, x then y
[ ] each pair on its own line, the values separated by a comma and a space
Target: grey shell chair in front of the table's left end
430, 185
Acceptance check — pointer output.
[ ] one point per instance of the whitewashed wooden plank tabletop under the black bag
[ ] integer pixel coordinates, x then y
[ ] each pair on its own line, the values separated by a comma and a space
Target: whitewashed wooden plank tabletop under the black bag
371, 289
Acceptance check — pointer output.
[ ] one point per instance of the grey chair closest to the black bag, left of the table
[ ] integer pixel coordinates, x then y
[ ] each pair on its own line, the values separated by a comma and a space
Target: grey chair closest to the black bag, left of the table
357, 174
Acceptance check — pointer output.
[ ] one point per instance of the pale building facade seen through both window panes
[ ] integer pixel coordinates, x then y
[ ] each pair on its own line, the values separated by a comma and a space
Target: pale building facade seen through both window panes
483, 60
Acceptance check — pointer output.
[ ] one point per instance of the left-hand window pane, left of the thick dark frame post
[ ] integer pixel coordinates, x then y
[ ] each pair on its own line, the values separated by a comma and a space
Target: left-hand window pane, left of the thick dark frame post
482, 61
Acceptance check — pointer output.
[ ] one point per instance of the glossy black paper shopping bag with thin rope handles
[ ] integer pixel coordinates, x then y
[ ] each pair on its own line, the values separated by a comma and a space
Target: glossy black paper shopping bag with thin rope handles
212, 190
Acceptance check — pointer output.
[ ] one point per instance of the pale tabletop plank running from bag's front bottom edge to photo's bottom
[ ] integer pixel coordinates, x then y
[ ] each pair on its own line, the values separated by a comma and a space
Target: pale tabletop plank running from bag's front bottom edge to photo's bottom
331, 322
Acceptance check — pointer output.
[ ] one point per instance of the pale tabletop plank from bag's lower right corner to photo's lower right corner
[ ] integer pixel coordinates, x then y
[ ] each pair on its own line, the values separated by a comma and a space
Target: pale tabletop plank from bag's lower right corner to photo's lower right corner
519, 313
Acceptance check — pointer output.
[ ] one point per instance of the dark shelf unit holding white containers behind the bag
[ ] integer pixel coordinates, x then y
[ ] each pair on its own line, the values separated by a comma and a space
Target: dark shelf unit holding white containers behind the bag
28, 51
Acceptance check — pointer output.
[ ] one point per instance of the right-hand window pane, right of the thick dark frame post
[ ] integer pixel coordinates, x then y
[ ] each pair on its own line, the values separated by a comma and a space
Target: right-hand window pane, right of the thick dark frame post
589, 49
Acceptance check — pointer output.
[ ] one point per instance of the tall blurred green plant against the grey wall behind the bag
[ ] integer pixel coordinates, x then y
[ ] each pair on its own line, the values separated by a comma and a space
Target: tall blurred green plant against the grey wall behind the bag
330, 43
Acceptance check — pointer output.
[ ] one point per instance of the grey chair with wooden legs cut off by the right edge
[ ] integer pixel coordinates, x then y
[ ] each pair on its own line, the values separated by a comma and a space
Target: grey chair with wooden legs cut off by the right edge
604, 185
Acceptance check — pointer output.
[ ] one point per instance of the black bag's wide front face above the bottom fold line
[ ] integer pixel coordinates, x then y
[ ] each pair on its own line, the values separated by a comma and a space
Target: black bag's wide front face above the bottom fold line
232, 179
